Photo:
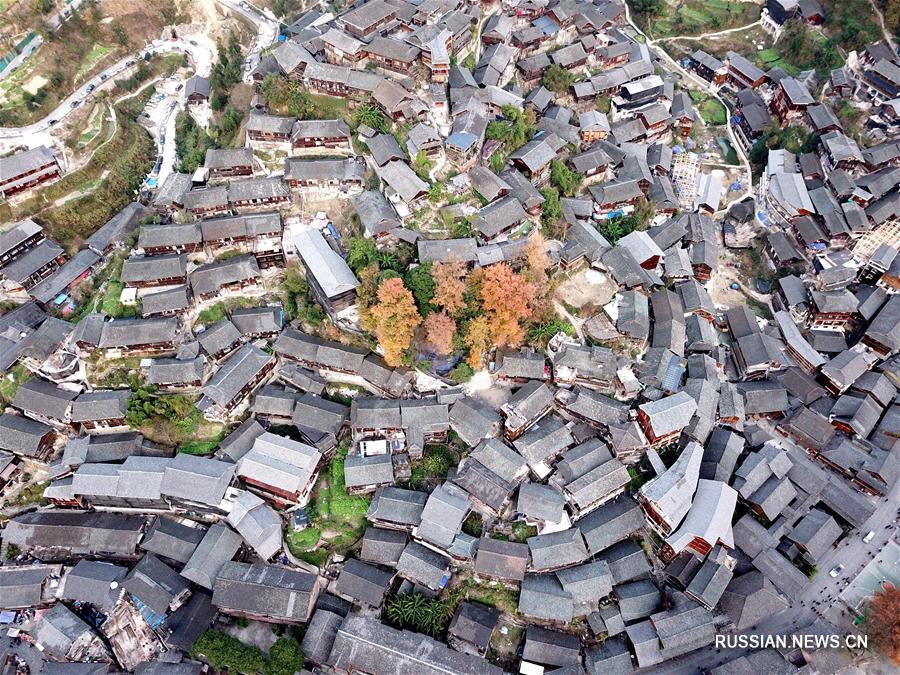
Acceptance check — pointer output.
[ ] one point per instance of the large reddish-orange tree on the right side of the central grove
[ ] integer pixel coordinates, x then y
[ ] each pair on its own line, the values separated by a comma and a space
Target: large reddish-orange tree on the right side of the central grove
506, 298
